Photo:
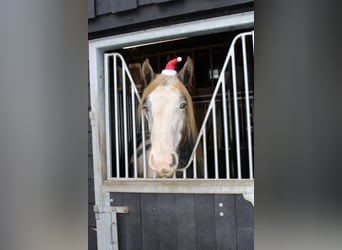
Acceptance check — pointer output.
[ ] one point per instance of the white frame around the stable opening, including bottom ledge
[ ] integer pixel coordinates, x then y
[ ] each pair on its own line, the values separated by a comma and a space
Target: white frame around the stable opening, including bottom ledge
97, 48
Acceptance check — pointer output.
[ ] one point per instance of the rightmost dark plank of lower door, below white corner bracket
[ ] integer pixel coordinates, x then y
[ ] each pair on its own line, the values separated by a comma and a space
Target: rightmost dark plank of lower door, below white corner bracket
245, 223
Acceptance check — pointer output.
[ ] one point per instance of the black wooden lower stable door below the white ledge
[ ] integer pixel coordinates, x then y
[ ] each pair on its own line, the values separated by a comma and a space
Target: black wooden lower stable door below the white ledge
184, 221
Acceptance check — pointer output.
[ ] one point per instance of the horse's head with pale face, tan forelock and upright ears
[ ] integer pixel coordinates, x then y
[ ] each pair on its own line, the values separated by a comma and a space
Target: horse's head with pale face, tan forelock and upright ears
167, 105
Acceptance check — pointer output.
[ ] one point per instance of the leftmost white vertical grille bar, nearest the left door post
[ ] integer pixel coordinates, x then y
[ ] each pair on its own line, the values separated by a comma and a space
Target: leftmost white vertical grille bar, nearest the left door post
107, 117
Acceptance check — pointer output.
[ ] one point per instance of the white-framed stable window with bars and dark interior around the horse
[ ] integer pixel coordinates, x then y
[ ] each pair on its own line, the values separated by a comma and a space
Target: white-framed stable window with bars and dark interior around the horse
225, 139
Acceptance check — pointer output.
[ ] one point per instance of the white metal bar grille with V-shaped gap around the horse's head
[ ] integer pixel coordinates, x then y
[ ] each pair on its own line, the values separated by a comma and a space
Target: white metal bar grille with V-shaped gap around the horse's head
201, 136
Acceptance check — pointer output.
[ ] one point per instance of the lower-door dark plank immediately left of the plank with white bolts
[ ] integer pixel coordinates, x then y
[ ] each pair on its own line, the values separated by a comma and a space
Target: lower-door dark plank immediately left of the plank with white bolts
204, 217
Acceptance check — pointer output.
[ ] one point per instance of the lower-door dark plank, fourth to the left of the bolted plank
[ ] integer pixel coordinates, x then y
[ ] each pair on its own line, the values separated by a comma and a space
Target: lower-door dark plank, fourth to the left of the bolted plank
149, 221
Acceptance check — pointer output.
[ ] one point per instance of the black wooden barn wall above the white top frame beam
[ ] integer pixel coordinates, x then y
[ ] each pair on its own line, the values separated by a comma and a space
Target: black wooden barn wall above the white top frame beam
106, 17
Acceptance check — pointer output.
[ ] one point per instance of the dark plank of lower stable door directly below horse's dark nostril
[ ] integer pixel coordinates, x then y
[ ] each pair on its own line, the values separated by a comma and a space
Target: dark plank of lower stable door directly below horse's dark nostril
166, 221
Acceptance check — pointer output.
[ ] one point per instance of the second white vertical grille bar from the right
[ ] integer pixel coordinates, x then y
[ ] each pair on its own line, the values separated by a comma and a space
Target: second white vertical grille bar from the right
236, 117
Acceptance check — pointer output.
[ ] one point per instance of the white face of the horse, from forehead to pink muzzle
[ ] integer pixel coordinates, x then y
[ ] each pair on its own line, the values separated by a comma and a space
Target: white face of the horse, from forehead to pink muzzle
166, 114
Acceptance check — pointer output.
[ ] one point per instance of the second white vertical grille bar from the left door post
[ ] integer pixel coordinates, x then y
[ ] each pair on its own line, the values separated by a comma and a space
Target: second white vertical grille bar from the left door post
116, 117
